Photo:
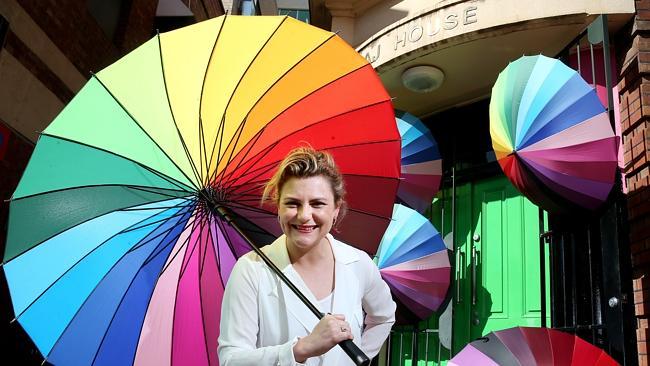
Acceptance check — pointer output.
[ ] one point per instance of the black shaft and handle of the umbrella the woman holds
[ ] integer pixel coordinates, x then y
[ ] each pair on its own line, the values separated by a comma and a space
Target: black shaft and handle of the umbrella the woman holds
351, 349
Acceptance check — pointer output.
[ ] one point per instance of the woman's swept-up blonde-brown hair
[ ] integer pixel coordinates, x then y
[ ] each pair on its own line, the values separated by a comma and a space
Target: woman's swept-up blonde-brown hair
305, 162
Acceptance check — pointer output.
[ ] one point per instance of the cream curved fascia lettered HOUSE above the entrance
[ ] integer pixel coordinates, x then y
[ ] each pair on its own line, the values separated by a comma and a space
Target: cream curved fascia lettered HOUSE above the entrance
421, 27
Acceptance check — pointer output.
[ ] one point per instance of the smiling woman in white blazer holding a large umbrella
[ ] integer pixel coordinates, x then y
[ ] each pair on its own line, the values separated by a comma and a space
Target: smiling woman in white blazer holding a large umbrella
262, 321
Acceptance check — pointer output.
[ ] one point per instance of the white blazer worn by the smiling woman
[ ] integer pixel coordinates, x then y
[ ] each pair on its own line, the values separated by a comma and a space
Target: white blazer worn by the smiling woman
261, 319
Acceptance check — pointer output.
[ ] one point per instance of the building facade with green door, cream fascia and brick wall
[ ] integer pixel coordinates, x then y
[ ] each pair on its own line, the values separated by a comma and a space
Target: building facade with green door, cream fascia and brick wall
439, 61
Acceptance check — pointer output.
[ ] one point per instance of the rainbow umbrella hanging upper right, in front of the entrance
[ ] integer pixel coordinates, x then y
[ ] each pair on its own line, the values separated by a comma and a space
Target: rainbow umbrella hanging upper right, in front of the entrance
551, 134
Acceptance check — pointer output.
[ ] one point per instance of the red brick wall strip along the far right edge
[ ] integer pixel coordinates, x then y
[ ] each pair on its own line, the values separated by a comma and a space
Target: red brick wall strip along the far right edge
634, 87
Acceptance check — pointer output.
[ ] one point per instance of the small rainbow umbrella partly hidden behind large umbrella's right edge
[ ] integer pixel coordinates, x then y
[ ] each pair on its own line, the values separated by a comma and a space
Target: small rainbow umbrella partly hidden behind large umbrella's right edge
421, 163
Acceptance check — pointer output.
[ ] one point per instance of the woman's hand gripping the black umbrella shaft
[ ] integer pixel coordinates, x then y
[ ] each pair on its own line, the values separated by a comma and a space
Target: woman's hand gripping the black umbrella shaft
329, 331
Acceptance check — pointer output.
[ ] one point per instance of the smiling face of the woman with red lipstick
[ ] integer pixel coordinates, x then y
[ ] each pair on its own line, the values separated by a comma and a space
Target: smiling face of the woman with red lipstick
306, 209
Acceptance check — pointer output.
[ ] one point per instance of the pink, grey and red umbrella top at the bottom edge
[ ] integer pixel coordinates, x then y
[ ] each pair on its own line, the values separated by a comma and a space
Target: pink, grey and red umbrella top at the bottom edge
531, 346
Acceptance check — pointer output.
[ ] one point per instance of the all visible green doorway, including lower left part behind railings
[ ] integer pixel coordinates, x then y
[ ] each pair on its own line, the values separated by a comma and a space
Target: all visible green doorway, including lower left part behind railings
497, 243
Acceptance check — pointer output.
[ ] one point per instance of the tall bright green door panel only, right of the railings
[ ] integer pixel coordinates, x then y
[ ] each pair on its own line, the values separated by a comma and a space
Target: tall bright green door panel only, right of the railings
497, 260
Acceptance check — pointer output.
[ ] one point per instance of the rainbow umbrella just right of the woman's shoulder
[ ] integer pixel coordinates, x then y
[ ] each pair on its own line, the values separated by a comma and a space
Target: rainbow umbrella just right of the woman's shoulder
413, 260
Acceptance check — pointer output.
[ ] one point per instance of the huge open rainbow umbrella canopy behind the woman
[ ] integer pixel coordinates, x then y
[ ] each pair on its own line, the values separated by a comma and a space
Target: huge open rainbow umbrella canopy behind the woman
114, 254
